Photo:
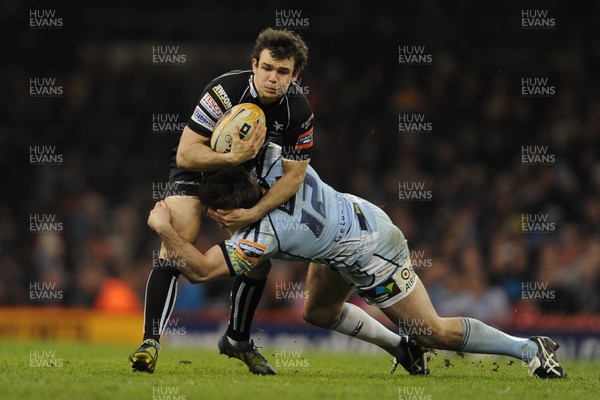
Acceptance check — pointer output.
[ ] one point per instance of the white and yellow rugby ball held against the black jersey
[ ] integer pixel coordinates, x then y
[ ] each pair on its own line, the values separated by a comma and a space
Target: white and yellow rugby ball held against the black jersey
245, 116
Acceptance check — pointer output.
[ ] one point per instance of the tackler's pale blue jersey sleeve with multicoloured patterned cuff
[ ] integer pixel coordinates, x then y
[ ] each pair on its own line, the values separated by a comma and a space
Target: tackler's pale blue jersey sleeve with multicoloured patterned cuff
247, 249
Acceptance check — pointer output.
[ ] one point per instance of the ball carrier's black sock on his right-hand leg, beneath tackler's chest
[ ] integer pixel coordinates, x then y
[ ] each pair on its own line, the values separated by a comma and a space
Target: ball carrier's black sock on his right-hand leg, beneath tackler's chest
245, 296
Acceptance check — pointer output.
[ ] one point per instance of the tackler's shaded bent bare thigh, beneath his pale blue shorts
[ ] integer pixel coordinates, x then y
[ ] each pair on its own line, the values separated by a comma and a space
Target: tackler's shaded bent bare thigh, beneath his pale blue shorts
326, 288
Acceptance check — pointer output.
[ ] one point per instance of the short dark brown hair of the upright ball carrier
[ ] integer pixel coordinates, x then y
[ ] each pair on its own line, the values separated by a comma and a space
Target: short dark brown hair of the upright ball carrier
282, 45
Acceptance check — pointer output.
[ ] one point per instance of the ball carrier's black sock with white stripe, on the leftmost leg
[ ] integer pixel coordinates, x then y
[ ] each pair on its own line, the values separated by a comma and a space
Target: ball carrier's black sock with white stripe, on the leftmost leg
161, 292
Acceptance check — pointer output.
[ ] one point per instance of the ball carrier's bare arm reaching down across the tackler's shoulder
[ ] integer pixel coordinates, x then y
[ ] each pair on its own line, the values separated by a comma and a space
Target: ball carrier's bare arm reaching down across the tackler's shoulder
279, 193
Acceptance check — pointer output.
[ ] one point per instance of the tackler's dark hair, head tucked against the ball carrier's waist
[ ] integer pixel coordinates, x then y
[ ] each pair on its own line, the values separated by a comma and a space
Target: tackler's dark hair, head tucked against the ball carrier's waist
229, 188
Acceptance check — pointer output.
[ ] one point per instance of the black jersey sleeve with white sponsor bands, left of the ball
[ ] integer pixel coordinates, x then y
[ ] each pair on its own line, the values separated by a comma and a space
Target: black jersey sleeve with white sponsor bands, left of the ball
214, 102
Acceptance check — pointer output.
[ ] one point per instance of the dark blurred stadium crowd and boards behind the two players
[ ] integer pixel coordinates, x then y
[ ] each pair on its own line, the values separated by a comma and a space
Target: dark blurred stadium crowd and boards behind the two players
474, 239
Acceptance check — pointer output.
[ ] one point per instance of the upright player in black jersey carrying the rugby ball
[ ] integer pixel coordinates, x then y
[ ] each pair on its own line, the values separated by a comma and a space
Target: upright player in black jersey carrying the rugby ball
277, 59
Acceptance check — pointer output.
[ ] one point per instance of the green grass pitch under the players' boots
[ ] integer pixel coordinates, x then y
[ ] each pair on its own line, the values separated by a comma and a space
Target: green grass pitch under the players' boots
102, 372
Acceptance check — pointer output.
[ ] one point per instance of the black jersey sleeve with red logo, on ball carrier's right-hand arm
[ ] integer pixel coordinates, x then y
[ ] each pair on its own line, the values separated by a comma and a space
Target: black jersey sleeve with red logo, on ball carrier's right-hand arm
298, 139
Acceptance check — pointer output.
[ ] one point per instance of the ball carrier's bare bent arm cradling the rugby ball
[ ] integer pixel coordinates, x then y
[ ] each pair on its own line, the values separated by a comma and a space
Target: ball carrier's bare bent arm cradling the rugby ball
194, 152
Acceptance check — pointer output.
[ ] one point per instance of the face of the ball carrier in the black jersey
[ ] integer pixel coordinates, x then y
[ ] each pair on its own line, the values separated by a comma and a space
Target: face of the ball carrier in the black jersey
272, 77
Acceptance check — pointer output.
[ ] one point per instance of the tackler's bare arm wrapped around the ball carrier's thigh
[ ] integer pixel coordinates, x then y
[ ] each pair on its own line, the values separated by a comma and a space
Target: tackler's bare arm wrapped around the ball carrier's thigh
194, 265
